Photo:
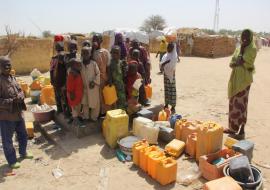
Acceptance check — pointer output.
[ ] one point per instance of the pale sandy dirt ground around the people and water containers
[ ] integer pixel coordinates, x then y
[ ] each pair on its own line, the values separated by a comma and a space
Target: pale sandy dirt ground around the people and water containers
88, 163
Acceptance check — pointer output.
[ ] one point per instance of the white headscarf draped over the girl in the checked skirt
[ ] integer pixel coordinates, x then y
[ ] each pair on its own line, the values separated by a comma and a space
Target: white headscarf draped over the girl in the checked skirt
169, 68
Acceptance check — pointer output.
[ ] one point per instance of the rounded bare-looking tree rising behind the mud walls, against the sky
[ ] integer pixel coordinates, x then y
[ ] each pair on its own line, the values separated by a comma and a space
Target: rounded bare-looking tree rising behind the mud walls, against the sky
153, 22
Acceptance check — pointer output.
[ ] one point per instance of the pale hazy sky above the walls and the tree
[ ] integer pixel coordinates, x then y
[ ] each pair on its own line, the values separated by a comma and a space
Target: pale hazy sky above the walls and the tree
31, 17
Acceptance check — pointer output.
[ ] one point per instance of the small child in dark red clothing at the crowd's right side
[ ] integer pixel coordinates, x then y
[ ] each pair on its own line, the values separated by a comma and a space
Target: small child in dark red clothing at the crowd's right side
132, 93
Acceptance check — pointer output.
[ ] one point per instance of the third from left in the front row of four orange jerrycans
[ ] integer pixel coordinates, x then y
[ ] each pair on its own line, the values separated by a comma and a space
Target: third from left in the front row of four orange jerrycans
153, 159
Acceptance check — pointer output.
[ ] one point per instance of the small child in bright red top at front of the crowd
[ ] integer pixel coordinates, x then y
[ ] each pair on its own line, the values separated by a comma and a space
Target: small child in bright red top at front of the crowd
75, 89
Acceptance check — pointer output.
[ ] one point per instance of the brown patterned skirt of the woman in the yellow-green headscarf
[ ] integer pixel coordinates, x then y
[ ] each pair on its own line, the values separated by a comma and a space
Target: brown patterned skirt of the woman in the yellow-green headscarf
238, 110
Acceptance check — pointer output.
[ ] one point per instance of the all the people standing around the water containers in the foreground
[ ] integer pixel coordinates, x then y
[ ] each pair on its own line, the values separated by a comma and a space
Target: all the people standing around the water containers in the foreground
79, 80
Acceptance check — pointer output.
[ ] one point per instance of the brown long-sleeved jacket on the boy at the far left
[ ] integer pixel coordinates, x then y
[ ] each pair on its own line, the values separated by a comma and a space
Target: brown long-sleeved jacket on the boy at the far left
10, 89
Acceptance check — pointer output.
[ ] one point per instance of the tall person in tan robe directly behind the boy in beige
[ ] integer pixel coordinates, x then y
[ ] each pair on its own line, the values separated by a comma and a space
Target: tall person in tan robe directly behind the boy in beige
102, 58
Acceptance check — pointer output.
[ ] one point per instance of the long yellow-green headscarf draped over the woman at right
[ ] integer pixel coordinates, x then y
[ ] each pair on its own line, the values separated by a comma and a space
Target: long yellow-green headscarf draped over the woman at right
242, 76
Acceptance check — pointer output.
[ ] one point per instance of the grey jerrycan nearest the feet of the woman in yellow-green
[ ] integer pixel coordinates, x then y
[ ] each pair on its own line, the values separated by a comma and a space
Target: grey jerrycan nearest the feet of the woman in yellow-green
245, 147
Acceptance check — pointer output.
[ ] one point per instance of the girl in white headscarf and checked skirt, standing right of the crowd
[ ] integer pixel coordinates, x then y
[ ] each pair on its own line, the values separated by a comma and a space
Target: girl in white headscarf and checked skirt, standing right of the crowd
168, 65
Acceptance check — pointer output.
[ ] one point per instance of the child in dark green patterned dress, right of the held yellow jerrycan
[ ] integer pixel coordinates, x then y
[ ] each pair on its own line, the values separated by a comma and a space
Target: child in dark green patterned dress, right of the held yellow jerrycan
115, 72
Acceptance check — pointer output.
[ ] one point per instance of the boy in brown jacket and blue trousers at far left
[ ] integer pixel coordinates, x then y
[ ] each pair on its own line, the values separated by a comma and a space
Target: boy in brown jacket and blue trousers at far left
11, 116
